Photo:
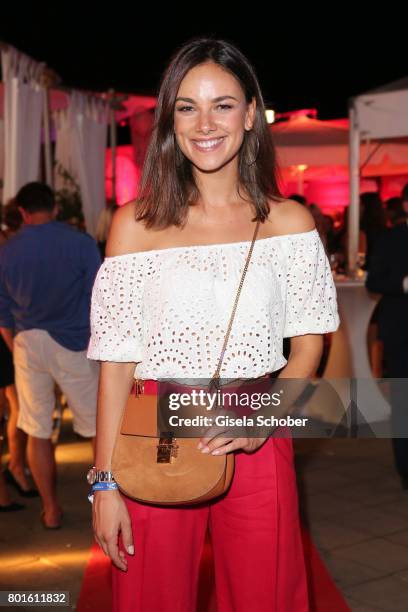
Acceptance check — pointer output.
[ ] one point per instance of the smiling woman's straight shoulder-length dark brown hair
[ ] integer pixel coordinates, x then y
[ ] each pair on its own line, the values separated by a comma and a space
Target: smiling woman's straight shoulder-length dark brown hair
167, 185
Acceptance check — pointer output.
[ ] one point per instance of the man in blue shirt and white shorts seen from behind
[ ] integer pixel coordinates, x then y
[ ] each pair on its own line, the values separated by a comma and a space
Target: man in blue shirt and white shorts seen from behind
47, 271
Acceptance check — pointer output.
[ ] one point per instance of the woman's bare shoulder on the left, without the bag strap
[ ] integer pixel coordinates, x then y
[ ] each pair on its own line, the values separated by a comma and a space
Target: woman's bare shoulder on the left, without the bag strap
126, 235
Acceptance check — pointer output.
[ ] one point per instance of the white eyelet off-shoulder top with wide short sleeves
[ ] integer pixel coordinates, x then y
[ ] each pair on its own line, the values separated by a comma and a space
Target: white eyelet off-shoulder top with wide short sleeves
168, 309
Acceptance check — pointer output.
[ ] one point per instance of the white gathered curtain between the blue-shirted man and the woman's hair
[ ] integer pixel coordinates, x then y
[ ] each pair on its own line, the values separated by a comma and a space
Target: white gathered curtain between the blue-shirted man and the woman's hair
81, 145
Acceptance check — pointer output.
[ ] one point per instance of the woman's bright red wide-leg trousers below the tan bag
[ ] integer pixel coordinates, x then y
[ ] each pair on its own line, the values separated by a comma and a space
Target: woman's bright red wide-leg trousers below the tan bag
255, 534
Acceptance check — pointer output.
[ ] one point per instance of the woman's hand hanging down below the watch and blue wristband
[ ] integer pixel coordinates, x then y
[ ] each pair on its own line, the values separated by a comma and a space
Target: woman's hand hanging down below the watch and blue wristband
109, 516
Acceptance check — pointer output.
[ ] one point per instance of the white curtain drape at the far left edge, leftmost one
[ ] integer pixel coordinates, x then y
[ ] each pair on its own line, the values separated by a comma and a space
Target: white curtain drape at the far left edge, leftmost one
23, 104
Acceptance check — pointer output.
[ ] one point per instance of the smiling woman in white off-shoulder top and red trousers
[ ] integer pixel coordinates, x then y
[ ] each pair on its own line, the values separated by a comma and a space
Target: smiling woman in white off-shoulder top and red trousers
162, 300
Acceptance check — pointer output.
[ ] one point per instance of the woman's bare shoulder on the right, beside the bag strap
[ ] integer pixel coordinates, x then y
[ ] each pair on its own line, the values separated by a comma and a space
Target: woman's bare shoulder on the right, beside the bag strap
289, 217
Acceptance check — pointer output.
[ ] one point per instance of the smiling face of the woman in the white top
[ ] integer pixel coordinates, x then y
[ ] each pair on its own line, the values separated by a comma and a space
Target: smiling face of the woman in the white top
211, 115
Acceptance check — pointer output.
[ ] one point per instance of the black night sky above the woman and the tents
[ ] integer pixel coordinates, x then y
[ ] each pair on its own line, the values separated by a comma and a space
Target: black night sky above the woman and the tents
305, 58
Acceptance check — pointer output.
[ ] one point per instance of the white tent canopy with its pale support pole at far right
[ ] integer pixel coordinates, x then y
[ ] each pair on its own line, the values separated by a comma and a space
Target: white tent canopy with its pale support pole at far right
378, 114
